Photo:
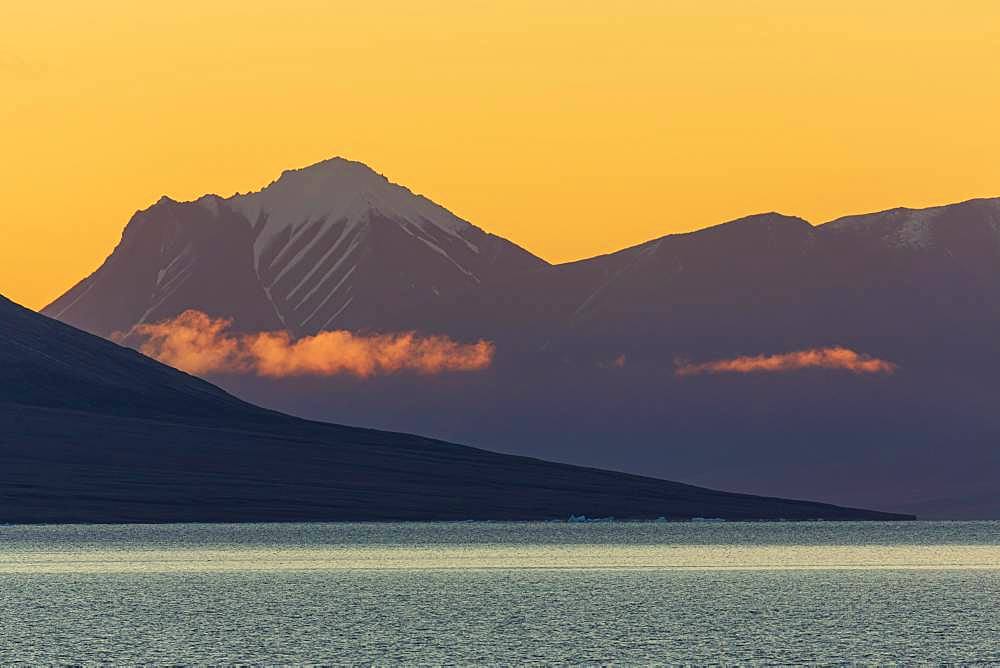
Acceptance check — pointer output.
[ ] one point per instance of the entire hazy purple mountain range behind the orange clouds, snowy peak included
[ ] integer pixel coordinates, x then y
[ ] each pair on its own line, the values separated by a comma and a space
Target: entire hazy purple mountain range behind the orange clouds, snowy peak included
586, 352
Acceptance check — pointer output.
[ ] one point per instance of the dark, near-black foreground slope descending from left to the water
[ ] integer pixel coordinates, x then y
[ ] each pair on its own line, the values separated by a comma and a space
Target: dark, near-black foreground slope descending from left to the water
94, 432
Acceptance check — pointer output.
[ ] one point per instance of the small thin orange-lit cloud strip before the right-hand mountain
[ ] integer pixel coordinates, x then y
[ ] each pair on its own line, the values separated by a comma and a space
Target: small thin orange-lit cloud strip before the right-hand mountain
815, 358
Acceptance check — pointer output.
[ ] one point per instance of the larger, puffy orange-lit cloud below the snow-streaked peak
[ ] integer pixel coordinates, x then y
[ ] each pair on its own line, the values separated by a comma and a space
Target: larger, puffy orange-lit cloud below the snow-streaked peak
200, 344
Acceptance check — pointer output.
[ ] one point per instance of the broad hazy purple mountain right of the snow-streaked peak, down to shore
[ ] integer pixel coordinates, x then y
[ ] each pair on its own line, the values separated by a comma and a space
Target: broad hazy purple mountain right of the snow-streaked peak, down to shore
587, 352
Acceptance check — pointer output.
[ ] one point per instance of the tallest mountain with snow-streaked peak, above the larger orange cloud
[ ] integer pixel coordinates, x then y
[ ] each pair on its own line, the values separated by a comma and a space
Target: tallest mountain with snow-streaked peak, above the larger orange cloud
331, 246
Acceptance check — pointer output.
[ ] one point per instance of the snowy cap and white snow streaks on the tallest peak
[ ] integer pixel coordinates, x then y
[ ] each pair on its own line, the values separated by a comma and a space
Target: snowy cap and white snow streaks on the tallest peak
310, 222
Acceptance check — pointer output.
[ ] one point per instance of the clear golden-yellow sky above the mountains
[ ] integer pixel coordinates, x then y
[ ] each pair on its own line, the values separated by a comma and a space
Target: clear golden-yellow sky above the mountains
571, 127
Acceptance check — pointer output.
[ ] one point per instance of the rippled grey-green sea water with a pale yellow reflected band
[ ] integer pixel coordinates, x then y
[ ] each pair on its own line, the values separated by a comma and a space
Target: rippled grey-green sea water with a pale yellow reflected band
491, 593
